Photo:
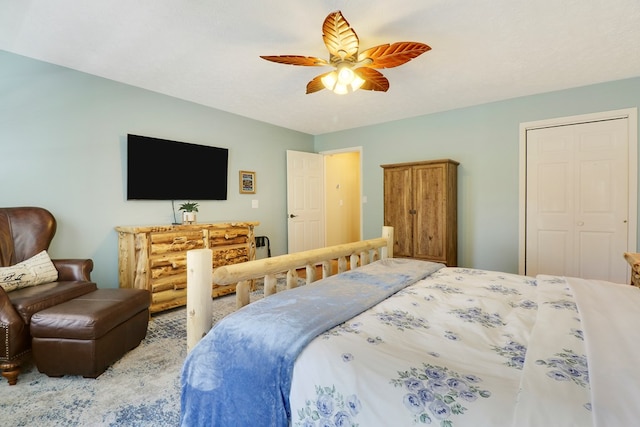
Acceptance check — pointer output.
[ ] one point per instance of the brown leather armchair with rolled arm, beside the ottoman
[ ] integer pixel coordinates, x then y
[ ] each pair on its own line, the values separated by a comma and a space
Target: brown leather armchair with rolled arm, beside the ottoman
25, 232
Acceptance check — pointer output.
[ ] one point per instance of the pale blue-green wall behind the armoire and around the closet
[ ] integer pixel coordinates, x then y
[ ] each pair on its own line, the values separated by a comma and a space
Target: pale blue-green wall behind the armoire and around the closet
485, 140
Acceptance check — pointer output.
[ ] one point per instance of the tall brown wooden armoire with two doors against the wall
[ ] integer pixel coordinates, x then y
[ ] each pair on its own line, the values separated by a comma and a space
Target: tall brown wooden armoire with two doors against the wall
420, 202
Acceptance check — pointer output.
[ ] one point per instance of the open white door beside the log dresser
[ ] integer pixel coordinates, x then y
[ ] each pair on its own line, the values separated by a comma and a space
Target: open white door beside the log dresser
305, 201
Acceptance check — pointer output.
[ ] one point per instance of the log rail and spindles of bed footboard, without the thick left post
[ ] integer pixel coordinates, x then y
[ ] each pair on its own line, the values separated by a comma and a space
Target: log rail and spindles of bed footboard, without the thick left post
358, 253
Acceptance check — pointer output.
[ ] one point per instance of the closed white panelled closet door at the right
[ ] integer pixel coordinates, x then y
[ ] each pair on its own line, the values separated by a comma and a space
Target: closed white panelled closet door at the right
577, 189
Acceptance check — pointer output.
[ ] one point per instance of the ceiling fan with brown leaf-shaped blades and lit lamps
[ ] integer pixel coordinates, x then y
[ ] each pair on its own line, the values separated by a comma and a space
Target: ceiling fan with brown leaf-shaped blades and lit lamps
353, 69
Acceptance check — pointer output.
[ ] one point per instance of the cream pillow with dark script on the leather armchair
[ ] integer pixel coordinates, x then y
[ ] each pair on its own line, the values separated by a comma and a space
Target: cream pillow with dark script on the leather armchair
34, 271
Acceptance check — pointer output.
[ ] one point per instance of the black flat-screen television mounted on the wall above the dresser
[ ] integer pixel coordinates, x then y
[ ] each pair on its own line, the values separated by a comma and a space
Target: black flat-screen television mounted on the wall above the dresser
160, 169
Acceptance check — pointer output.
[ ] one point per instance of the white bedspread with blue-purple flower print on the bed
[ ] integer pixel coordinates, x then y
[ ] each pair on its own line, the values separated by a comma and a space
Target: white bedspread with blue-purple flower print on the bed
462, 347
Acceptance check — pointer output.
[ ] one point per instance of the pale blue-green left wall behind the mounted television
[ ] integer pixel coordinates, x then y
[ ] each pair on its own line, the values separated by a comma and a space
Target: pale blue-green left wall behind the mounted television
62, 146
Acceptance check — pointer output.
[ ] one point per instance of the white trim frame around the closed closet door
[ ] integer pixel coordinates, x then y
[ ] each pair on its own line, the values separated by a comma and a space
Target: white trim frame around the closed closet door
631, 114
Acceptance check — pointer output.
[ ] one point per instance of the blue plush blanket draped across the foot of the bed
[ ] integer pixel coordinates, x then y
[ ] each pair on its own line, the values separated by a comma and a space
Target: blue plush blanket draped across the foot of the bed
239, 374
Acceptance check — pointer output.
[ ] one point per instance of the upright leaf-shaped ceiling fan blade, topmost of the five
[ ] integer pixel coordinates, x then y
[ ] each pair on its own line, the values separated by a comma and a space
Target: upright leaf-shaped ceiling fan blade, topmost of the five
341, 40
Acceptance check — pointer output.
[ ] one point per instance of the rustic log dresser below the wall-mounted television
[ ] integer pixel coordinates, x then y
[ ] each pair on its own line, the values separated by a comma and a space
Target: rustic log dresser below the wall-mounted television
155, 257
